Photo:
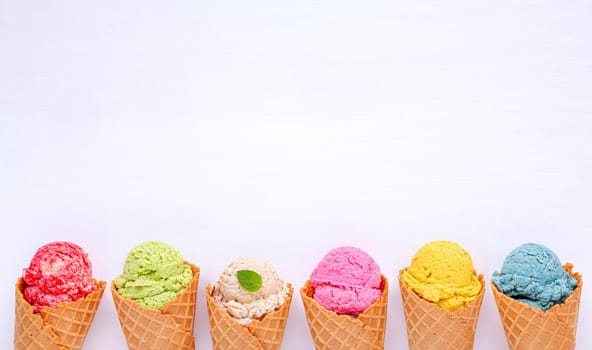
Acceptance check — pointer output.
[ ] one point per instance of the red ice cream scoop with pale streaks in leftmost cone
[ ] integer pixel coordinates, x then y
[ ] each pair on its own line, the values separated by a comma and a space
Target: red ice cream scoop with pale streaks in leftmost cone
58, 272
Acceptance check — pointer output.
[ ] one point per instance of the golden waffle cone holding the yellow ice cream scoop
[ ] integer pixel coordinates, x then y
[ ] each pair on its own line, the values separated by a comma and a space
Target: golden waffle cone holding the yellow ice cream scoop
432, 327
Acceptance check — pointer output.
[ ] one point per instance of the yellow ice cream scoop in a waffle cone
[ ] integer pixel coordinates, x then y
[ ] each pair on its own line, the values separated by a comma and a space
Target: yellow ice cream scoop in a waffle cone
442, 272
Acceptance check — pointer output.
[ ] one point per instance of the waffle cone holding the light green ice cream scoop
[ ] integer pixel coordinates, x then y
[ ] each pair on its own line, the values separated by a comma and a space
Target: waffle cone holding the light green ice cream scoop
170, 328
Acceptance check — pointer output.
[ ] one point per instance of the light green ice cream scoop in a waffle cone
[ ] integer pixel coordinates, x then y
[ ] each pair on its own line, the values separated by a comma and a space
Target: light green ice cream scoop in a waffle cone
153, 274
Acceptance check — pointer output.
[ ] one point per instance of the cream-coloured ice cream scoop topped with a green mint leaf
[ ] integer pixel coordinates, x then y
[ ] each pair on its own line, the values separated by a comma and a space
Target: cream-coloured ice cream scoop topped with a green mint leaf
247, 296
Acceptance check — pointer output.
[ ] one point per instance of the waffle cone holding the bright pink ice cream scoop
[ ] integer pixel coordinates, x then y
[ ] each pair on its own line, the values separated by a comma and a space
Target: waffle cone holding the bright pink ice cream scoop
331, 331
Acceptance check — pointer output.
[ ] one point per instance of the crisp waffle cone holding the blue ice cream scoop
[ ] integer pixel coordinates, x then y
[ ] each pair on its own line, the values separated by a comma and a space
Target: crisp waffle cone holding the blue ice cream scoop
530, 328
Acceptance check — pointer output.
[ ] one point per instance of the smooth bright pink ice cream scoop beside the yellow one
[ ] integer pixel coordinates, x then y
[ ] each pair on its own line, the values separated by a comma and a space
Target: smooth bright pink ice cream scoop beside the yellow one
346, 281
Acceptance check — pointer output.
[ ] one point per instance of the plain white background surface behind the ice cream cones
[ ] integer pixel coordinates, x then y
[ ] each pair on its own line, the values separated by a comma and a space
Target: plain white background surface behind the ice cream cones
231, 128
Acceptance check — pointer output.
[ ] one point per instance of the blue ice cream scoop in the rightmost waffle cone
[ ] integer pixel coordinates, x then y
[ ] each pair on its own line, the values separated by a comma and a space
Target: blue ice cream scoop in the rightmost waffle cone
533, 274
